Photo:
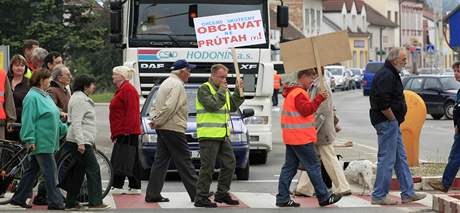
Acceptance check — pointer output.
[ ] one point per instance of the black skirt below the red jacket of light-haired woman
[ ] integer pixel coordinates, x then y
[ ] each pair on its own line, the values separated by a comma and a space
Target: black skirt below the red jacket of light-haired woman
123, 157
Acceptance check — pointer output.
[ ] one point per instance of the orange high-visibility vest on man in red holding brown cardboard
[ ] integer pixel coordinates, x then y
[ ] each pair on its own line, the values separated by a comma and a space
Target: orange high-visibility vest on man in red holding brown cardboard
295, 128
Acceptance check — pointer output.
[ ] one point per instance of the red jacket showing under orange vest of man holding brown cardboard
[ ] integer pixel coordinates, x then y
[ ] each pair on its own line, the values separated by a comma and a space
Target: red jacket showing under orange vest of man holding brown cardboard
303, 106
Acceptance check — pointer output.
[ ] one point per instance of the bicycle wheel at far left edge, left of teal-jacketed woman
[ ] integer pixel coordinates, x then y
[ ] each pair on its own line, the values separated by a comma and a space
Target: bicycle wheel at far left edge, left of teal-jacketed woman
7, 152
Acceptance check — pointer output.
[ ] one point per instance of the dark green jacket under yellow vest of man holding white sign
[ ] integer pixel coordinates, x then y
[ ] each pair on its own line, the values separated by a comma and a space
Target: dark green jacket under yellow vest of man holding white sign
214, 103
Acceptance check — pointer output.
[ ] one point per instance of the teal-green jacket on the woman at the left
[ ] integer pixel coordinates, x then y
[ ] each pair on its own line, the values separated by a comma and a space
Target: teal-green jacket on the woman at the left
41, 124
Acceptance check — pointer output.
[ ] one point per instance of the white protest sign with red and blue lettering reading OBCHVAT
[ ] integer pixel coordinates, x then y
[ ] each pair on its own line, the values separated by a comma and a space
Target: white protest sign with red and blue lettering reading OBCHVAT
230, 30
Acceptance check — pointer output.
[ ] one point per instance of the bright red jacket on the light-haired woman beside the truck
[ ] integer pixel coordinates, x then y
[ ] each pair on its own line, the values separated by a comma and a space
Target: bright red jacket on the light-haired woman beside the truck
124, 111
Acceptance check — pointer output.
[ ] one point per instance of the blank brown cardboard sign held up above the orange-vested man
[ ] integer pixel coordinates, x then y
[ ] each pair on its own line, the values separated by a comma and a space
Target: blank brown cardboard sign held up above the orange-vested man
299, 54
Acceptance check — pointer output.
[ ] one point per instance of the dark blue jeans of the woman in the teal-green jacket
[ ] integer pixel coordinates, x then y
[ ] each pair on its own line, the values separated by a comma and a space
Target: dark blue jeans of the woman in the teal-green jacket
47, 165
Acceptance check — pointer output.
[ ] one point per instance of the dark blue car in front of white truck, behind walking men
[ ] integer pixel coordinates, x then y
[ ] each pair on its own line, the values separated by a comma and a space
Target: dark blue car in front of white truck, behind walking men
239, 136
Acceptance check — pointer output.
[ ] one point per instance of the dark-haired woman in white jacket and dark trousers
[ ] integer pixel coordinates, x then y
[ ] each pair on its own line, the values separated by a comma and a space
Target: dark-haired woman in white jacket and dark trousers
82, 138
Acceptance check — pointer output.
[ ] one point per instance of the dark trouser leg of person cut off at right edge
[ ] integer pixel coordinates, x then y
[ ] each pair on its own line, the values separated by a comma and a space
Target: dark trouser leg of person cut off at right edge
452, 164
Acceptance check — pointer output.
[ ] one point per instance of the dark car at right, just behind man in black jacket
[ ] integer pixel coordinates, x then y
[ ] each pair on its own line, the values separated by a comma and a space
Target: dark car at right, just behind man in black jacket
439, 93
